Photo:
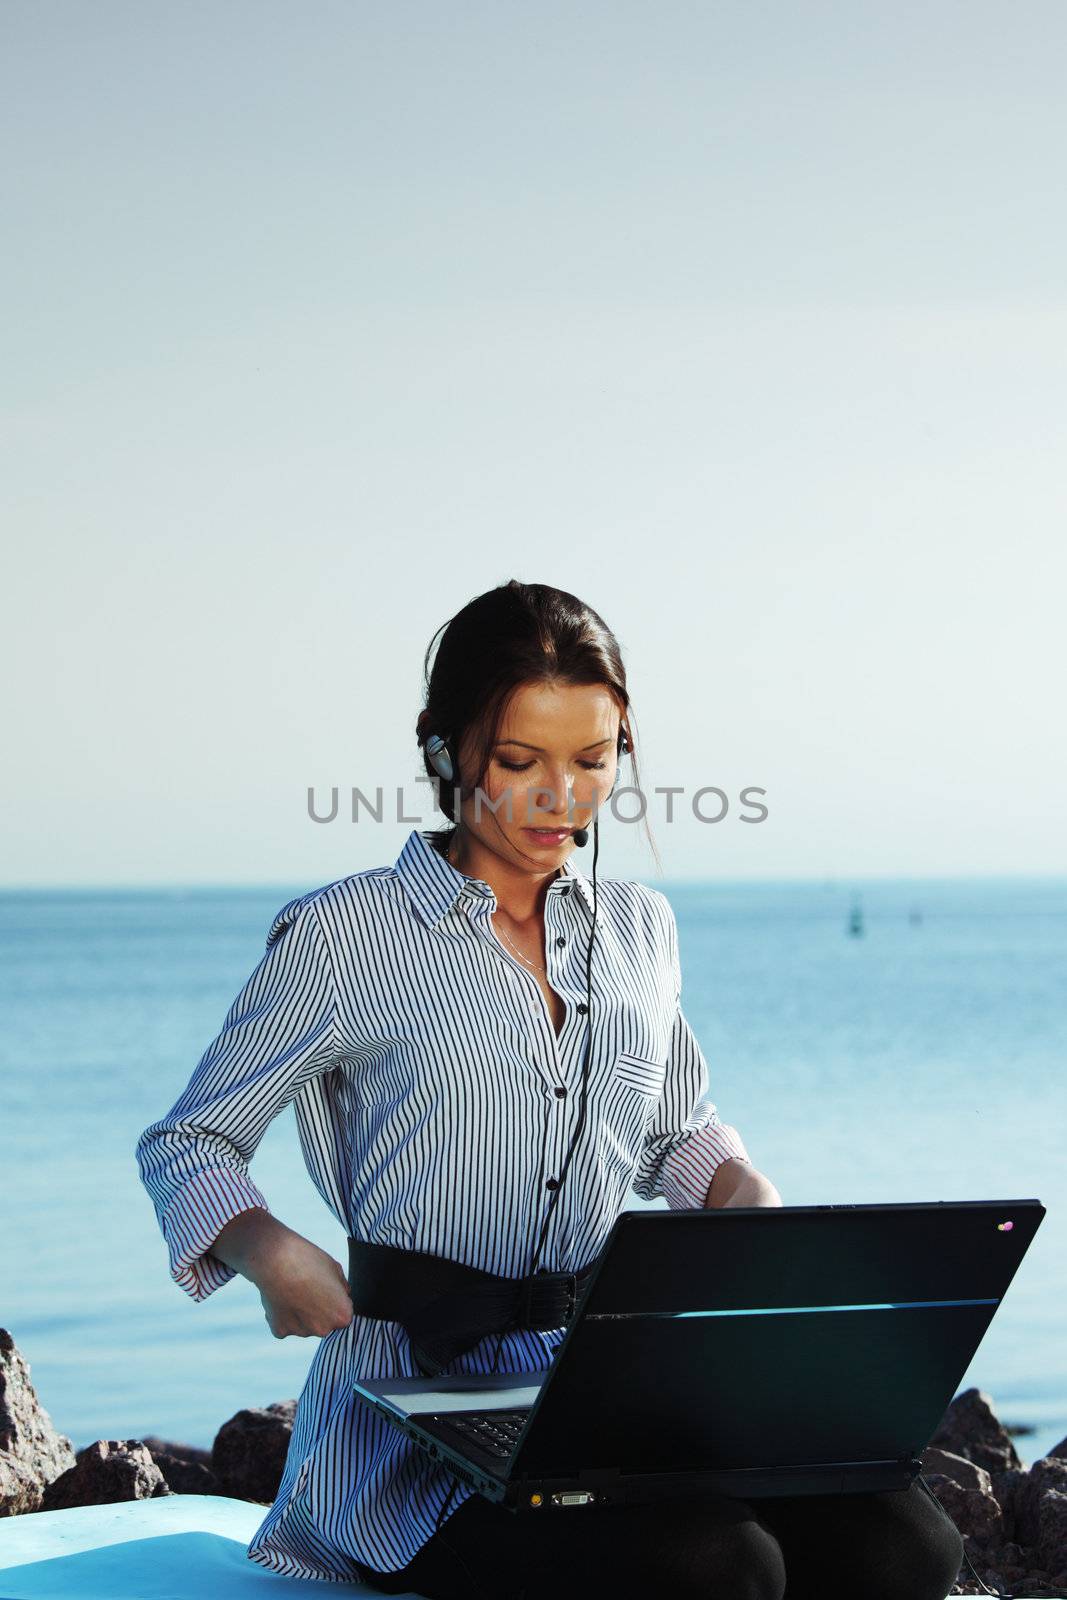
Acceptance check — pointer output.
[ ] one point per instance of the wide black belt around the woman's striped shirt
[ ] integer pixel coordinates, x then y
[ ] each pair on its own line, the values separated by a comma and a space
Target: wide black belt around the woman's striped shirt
447, 1308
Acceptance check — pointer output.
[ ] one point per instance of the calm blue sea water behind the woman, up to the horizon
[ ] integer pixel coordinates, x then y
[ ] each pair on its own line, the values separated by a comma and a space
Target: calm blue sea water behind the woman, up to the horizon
922, 1062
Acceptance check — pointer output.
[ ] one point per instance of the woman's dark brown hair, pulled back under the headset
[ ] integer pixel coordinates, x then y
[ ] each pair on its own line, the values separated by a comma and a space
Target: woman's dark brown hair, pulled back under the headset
506, 638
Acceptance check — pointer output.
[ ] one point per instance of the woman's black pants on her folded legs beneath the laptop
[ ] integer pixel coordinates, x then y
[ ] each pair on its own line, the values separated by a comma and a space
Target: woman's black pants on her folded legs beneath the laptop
887, 1546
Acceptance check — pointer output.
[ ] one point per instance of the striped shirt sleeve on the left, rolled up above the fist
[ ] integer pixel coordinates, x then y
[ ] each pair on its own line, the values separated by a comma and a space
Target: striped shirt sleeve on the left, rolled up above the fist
279, 1033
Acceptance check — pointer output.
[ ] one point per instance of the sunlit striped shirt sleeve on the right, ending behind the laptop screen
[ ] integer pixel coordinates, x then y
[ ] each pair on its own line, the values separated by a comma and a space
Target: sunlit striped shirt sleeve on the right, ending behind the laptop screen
687, 1138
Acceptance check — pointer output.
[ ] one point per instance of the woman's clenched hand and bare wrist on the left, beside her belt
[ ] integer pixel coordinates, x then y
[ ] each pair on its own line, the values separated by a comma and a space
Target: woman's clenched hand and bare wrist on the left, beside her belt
302, 1287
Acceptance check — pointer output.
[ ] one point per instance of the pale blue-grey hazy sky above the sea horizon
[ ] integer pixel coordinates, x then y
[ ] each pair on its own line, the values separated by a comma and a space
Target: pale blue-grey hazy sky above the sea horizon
748, 324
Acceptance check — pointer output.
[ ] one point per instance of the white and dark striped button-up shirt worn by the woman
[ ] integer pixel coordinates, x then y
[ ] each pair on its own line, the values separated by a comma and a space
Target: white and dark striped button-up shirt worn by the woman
434, 1105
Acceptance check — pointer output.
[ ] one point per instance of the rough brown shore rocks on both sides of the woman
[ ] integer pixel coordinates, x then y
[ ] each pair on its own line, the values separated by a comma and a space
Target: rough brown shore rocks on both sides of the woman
1013, 1519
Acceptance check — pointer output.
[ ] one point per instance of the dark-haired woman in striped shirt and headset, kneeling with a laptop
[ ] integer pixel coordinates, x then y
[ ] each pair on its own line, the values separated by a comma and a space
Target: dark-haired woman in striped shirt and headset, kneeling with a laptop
430, 1020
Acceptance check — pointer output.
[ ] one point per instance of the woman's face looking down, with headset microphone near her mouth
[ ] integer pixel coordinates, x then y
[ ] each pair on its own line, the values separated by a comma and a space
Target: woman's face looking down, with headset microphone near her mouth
556, 756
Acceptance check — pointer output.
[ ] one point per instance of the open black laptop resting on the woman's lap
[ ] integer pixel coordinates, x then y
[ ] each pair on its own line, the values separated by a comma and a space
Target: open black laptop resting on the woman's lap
746, 1351
